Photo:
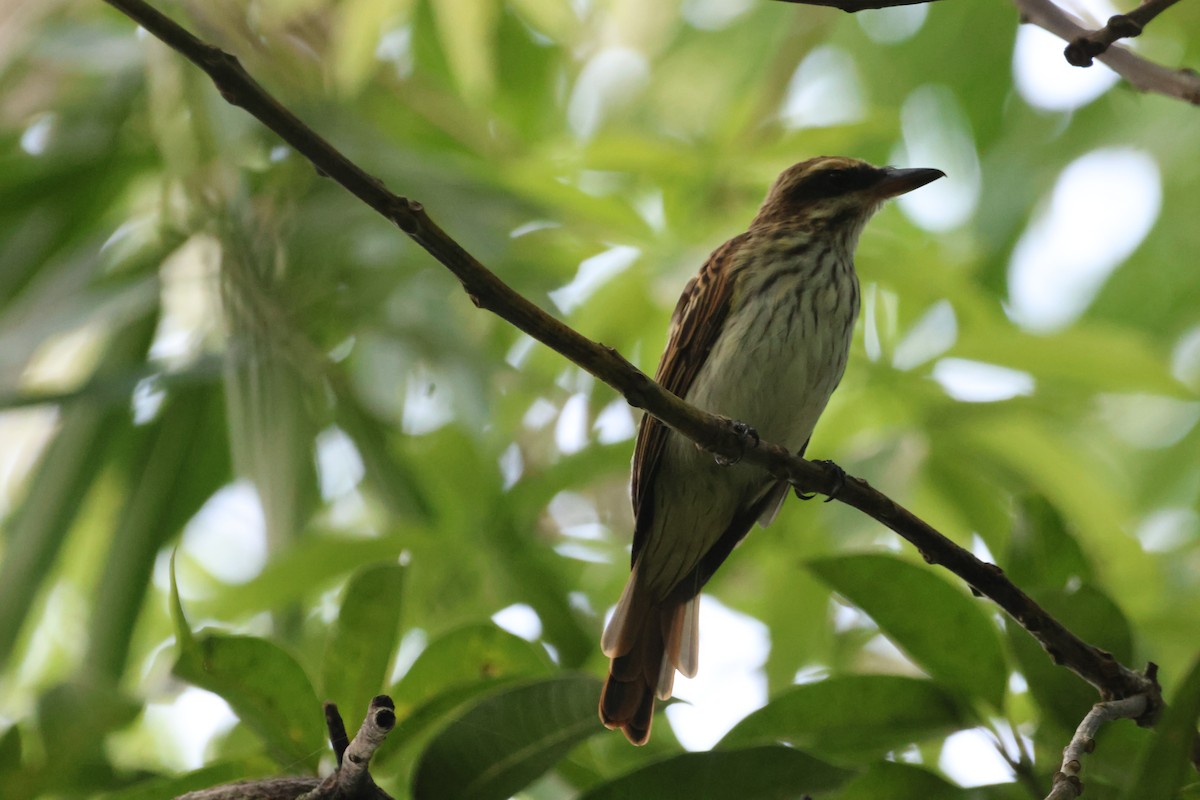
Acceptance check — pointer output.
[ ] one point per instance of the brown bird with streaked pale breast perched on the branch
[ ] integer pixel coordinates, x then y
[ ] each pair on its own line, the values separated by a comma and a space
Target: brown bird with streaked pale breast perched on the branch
760, 336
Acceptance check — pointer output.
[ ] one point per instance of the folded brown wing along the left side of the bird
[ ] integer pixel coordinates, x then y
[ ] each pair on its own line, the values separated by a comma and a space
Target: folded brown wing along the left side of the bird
697, 323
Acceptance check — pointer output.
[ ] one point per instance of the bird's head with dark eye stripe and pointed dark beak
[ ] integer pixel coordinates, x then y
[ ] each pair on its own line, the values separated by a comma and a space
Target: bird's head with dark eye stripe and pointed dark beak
832, 193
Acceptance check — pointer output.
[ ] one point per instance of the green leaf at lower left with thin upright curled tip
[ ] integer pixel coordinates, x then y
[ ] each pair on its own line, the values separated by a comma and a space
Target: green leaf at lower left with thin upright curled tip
265, 687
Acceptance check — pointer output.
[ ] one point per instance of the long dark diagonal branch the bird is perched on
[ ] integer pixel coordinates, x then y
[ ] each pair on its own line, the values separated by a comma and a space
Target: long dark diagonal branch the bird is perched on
487, 291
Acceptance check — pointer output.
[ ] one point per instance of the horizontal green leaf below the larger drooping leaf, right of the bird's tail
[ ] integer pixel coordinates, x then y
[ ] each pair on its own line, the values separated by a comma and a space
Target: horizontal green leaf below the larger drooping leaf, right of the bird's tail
851, 717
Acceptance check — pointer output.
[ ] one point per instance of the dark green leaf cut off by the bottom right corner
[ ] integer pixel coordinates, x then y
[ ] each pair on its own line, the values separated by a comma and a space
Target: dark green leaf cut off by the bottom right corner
1165, 762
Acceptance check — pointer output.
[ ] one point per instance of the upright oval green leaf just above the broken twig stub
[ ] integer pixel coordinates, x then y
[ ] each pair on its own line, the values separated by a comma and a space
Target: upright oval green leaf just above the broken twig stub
364, 639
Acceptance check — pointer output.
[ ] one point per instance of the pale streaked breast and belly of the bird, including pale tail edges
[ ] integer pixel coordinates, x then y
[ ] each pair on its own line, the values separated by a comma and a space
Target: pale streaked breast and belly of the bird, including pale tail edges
773, 369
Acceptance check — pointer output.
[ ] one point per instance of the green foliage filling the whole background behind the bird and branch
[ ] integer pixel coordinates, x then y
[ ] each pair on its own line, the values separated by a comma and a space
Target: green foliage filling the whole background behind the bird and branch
207, 350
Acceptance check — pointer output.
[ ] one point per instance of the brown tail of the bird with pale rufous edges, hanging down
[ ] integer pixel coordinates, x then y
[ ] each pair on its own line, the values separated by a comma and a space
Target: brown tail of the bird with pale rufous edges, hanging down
647, 642
